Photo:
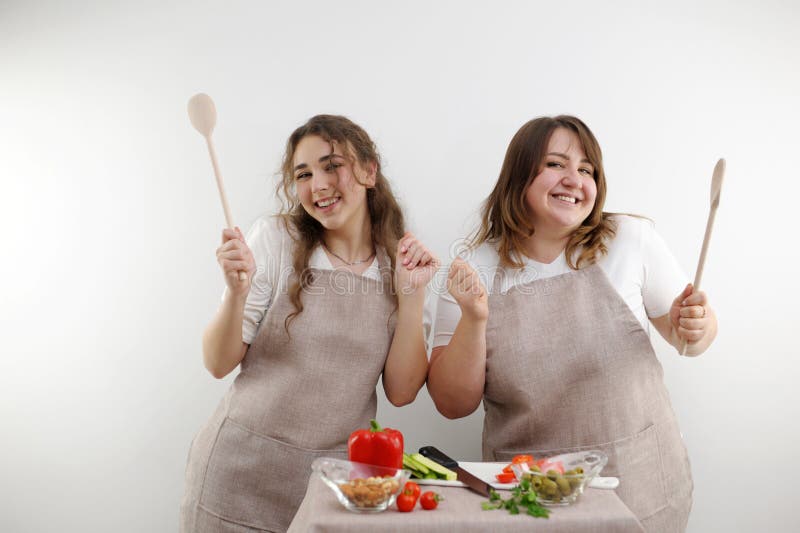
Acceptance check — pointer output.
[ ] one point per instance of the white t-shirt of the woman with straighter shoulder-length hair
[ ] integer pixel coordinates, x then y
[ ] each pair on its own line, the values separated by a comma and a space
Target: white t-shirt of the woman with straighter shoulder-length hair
638, 264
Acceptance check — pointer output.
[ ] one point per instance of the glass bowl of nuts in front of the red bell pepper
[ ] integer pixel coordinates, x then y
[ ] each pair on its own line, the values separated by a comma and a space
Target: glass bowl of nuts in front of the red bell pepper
361, 488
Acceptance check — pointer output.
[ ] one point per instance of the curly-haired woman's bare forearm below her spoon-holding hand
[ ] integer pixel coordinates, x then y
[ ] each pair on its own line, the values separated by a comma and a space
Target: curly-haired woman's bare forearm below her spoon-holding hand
223, 348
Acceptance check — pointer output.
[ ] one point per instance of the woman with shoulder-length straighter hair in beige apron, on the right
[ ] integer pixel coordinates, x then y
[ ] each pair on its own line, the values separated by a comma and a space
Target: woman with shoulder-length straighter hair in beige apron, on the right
547, 321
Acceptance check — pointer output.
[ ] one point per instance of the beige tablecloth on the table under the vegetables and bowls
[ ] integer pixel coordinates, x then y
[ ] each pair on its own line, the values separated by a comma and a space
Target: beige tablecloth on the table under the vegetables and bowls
597, 511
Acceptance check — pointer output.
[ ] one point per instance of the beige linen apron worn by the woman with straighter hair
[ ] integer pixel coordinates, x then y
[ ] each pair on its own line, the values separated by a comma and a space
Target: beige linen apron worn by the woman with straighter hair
569, 368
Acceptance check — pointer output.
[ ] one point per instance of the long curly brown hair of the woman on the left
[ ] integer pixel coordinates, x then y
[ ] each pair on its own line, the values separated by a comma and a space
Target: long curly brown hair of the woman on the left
386, 218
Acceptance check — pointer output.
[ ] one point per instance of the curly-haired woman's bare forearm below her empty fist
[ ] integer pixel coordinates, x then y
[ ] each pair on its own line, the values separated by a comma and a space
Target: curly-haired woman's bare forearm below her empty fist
407, 363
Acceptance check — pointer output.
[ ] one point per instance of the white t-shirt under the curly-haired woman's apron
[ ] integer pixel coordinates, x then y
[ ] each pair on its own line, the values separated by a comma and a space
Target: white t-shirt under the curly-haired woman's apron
272, 245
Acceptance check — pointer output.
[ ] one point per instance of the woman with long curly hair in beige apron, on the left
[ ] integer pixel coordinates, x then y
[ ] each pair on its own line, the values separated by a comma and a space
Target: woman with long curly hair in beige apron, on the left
333, 301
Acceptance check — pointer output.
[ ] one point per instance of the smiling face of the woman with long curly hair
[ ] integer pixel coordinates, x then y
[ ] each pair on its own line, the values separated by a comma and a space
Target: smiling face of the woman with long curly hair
327, 186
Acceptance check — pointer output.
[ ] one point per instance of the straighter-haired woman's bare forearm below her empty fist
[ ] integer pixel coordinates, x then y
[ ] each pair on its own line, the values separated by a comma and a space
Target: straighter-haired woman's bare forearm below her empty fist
457, 374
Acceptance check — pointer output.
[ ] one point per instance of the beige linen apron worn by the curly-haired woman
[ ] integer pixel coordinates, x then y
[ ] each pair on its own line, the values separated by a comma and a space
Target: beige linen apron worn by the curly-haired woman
296, 398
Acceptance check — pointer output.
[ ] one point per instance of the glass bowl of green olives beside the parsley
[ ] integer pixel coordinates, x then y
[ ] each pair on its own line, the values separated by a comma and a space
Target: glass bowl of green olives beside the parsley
562, 486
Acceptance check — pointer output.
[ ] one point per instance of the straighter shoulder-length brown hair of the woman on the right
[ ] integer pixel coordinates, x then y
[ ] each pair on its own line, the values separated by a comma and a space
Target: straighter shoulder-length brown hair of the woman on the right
504, 215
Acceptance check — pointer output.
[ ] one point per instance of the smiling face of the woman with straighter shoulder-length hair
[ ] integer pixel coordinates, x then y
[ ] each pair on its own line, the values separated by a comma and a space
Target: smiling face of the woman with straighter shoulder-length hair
563, 192
